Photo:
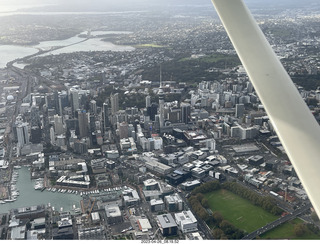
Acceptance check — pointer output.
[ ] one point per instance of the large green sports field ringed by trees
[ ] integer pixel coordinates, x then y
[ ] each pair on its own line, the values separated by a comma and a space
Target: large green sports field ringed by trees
238, 211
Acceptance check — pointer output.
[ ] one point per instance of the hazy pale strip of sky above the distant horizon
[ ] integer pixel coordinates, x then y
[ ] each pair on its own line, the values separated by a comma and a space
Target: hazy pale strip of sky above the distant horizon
124, 5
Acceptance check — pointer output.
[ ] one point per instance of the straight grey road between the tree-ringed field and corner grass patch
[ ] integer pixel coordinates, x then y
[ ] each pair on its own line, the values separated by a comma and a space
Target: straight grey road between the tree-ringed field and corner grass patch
277, 222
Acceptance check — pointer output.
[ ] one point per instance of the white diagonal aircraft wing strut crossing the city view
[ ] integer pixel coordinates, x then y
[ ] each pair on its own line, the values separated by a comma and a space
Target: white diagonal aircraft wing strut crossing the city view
295, 125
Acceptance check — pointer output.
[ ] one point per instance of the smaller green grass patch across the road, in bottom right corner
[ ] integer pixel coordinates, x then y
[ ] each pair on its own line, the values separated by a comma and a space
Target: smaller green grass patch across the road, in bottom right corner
286, 231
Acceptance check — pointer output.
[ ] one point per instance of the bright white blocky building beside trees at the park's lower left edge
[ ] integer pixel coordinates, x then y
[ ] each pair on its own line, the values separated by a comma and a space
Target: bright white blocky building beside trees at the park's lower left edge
186, 221
